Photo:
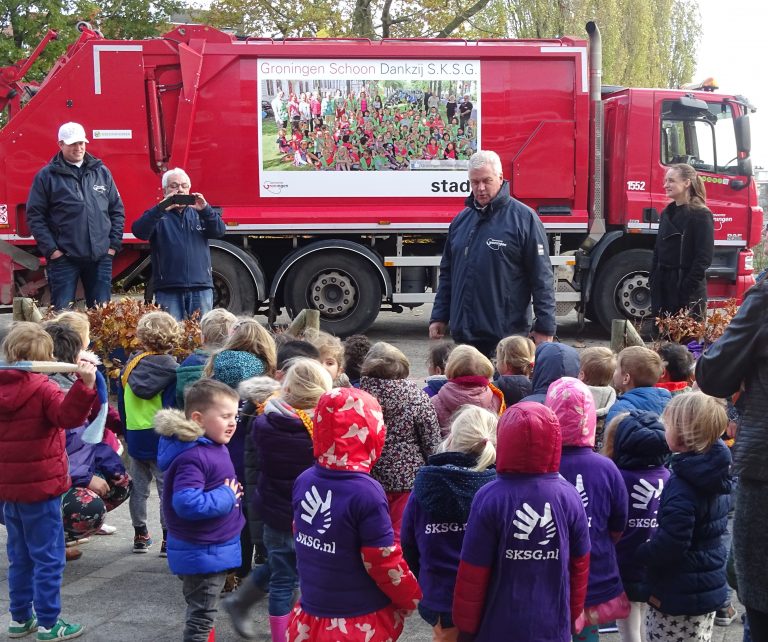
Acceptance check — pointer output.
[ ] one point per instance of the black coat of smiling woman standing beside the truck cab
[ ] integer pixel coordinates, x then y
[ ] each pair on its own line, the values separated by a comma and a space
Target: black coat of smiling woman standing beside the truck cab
684, 248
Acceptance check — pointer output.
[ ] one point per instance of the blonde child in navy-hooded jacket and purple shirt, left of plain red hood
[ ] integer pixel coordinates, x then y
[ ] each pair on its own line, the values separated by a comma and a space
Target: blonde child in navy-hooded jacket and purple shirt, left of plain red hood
438, 508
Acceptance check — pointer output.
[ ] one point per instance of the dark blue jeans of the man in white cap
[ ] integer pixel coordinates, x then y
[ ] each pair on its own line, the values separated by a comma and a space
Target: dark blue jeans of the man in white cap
63, 274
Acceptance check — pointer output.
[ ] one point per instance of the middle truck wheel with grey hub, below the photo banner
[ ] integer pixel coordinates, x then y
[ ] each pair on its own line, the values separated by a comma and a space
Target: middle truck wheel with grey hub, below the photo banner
344, 288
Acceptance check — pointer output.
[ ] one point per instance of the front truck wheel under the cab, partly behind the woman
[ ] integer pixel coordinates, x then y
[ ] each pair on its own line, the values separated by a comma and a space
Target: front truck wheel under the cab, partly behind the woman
621, 289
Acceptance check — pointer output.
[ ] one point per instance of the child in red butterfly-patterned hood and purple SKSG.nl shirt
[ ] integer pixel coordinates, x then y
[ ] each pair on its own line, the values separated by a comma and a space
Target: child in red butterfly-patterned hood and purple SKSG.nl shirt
355, 584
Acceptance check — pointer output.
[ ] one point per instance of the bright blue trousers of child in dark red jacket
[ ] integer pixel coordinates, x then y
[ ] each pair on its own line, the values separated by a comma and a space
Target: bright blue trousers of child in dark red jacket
35, 559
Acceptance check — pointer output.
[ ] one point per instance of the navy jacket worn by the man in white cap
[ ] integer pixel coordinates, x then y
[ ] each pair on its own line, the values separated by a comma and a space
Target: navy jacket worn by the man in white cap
75, 210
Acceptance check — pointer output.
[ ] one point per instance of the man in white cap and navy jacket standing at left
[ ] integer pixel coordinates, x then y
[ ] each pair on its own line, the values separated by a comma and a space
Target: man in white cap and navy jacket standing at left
76, 215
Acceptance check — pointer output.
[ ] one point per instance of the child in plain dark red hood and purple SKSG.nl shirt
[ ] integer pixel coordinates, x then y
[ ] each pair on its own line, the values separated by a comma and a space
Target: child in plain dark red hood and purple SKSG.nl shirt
525, 557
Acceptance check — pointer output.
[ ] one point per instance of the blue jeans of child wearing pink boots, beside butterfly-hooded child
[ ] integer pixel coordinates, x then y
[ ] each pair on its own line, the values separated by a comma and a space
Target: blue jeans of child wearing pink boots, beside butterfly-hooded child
279, 575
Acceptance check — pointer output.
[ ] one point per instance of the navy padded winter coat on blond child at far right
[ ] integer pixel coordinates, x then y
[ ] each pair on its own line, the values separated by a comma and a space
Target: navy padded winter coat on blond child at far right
686, 557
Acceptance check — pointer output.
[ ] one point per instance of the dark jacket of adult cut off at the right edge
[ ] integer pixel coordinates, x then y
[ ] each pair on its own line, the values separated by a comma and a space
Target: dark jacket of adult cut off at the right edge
740, 358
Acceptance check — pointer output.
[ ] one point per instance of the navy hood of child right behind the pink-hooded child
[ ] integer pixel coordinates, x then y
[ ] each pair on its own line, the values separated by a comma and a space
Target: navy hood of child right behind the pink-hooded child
640, 441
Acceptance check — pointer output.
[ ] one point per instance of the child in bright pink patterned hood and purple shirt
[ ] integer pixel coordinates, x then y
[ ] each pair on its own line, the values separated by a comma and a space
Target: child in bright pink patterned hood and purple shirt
603, 495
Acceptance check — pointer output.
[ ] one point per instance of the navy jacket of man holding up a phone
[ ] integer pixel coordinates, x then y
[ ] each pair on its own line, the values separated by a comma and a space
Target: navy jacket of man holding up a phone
181, 257
